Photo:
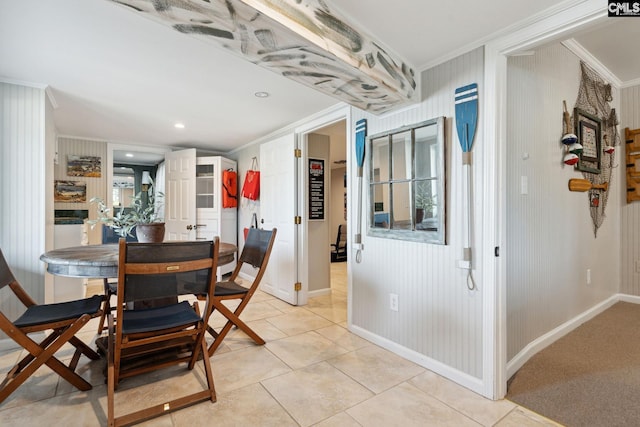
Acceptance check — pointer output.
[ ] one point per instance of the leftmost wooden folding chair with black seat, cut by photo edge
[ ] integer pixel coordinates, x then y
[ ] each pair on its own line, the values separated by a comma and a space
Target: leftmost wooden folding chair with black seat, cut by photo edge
63, 320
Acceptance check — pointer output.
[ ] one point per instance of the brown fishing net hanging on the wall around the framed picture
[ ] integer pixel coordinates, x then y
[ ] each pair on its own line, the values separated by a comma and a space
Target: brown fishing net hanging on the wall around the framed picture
594, 97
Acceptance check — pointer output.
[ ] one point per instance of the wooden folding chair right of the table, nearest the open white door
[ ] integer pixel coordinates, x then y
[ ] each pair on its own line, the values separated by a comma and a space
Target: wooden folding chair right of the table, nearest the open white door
256, 252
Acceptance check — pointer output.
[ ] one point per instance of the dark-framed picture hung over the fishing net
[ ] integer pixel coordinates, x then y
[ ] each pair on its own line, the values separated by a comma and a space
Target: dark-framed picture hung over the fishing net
588, 128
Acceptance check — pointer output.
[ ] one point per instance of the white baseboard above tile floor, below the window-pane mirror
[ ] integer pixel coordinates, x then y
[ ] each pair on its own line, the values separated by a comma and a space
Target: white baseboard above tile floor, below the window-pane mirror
465, 380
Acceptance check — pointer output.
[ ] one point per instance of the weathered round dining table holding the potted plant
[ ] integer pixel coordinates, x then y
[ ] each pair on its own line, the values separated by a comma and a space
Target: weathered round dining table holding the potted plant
101, 261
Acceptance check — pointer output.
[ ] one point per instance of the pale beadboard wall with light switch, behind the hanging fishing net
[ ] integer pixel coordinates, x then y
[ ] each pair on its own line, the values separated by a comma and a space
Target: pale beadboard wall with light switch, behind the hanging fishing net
550, 242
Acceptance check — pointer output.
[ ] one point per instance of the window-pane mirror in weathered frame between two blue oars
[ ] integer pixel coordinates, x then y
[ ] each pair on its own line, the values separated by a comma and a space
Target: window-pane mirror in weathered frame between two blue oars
407, 183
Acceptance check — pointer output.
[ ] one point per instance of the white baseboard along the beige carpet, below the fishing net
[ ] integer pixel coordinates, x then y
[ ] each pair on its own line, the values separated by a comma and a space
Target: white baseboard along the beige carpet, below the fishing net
555, 334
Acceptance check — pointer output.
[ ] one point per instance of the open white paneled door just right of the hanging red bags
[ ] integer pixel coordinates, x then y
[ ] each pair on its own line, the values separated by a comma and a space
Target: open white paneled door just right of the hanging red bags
278, 201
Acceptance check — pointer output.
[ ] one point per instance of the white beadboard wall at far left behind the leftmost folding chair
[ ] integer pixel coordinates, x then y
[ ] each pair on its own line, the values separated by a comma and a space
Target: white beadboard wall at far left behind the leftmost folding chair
23, 190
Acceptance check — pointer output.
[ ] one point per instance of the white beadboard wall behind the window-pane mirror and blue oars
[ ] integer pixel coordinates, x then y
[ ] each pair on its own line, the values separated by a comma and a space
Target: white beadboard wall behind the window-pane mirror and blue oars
439, 319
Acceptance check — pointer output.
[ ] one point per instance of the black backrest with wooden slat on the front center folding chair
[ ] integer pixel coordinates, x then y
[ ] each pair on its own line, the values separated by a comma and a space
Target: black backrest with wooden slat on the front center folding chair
155, 271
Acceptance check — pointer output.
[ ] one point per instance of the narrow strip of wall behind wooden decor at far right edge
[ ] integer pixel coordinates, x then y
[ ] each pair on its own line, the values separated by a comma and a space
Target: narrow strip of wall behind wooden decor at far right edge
629, 115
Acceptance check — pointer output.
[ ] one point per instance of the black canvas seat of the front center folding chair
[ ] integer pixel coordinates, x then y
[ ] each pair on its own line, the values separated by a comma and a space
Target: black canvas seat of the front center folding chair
152, 319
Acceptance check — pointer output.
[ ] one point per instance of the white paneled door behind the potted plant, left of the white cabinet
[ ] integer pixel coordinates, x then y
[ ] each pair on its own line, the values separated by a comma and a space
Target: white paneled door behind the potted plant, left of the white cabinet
180, 194
